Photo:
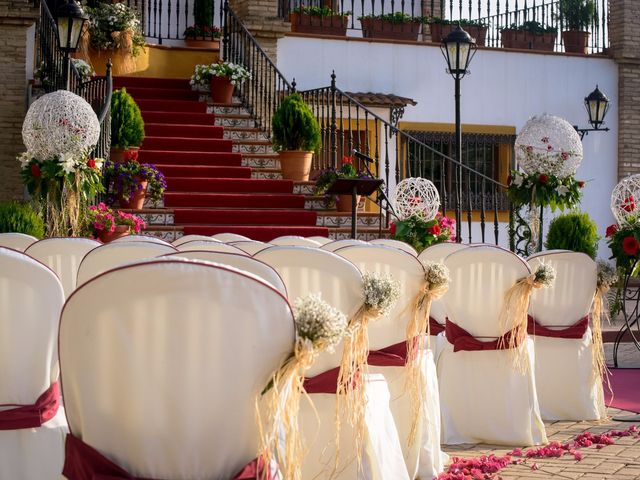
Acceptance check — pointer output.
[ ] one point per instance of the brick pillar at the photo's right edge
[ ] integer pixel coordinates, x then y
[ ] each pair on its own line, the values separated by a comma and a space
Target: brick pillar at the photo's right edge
624, 36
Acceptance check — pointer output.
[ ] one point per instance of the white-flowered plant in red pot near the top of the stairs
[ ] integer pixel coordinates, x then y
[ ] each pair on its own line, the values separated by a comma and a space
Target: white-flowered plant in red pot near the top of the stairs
222, 78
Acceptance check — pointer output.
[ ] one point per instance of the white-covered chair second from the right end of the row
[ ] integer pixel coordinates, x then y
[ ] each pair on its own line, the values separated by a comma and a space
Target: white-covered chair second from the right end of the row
500, 405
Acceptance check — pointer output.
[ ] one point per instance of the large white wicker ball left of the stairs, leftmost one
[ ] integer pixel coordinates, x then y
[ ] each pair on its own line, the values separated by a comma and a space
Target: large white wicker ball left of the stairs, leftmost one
60, 123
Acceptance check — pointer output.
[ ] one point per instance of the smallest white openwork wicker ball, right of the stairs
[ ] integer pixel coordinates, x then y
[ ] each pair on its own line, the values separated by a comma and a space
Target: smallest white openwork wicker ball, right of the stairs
417, 197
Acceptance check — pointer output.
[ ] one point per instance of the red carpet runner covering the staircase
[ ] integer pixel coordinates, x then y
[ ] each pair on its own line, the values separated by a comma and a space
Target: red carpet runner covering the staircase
207, 186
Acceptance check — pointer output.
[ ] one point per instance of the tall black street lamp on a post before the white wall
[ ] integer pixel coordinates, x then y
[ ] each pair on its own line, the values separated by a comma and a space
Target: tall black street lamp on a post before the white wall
458, 48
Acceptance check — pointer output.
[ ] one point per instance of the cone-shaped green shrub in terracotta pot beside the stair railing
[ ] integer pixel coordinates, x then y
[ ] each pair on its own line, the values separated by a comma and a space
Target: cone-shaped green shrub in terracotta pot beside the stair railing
294, 126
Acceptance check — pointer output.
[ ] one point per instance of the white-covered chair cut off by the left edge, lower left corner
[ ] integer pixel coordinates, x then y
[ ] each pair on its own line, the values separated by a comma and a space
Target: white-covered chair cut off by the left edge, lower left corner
30, 305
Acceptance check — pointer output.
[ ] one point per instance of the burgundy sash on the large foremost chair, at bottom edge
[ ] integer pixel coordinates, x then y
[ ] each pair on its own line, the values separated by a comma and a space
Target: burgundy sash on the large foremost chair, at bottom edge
83, 462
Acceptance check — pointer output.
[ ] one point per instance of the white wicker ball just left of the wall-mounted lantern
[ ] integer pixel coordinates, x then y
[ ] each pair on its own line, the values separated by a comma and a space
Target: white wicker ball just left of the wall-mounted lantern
550, 145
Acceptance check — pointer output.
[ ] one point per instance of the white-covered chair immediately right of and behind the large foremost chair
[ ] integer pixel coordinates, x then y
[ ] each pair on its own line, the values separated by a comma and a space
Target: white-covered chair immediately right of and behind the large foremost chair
304, 271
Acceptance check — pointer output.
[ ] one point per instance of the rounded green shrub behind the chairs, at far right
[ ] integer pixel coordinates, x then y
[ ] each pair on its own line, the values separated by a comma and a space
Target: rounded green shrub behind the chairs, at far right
574, 231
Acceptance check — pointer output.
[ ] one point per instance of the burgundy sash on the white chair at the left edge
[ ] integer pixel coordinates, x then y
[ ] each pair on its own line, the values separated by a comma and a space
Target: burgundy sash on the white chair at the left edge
32, 416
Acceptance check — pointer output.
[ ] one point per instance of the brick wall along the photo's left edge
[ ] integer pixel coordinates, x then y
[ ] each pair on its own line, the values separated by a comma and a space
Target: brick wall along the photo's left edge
15, 18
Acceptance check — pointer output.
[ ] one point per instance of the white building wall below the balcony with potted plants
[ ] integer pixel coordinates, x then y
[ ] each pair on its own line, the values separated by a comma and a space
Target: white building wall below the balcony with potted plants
504, 88
